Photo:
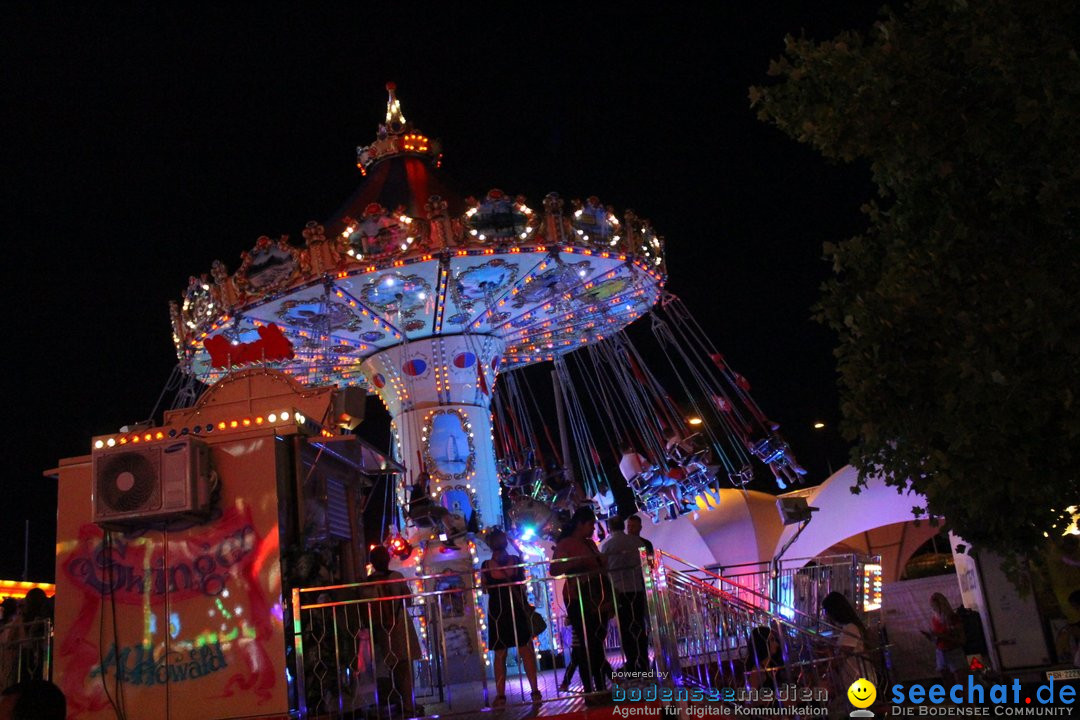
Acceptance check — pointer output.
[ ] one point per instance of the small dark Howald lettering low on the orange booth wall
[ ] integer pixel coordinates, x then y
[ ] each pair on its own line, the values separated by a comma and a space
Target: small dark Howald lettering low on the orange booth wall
137, 665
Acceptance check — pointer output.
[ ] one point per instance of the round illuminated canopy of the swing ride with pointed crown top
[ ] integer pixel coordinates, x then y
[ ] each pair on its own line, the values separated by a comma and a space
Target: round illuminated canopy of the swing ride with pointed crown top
404, 261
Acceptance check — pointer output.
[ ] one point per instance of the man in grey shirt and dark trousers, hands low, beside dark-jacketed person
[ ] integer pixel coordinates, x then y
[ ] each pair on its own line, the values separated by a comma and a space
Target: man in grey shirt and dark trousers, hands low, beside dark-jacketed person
625, 568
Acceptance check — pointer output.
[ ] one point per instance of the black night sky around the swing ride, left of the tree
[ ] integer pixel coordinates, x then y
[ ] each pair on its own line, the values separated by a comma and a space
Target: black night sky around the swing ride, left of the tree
141, 145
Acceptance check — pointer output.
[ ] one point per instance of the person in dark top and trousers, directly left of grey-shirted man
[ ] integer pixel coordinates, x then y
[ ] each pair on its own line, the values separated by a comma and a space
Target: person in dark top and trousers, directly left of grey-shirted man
588, 596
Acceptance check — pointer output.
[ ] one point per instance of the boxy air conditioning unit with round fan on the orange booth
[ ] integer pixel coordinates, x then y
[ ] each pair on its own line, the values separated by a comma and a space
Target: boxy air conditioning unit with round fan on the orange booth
157, 482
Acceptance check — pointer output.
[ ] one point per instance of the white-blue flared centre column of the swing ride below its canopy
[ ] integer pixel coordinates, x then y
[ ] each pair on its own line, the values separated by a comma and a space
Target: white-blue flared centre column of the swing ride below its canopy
439, 392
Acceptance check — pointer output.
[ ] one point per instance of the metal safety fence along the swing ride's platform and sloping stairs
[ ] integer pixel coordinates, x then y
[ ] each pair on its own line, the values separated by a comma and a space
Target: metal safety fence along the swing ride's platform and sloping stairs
453, 644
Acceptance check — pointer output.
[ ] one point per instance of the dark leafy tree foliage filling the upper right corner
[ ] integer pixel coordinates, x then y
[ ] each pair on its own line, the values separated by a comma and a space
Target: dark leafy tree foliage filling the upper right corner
958, 309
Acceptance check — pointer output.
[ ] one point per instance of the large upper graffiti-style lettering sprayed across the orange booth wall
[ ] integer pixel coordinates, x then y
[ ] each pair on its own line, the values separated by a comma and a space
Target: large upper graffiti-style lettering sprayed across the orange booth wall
114, 572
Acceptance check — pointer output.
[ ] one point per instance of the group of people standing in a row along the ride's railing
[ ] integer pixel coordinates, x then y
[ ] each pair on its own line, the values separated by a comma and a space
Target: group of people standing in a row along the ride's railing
601, 585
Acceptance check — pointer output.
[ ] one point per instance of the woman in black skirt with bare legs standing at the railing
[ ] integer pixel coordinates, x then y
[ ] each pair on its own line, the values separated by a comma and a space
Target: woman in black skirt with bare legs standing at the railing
508, 615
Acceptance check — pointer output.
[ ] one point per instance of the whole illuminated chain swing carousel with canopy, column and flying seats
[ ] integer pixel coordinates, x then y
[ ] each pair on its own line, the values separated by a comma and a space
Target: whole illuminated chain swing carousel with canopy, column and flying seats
426, 300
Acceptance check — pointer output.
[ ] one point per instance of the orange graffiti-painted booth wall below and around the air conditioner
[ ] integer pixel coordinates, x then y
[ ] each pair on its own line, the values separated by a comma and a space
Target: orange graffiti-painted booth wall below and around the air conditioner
184, 624
